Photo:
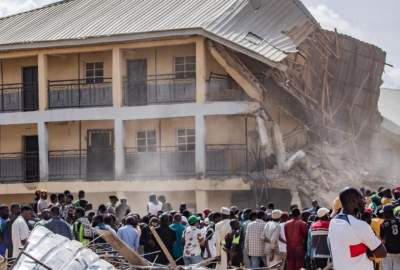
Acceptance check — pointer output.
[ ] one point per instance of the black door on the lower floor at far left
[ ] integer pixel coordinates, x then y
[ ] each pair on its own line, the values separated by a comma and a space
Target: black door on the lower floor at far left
31, 158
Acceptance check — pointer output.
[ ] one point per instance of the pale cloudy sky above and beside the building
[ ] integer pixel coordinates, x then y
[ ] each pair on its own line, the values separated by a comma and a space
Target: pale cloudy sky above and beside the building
374, 21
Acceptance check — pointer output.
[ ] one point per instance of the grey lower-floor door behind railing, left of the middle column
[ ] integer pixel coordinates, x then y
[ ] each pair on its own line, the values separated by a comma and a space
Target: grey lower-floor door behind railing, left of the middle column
100, 159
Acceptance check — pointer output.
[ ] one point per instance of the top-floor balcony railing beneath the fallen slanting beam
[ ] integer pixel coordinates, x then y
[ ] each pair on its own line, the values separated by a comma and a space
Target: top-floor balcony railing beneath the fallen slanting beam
223, 88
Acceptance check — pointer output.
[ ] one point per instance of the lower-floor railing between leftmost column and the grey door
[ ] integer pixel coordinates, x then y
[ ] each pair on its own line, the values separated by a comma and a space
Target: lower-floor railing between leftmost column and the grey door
67, 165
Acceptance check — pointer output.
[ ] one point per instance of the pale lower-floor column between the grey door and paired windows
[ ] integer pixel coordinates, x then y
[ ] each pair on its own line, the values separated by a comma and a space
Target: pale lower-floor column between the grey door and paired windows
119, 137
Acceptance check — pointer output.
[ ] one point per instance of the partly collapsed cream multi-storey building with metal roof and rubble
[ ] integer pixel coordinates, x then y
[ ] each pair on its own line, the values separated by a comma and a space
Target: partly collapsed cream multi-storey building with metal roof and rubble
207, 101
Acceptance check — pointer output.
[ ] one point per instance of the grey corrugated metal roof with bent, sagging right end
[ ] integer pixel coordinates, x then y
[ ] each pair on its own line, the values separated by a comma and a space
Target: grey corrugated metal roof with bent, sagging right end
269, 21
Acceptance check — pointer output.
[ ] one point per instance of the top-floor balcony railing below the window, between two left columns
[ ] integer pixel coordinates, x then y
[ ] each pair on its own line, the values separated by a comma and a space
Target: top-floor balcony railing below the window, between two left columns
80, 93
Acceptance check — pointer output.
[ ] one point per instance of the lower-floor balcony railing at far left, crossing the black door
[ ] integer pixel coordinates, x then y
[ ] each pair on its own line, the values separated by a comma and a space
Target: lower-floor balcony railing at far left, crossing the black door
19, 167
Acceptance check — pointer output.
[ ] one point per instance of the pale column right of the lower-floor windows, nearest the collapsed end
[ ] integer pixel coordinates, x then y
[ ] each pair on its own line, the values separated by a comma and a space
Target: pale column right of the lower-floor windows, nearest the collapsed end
200, 145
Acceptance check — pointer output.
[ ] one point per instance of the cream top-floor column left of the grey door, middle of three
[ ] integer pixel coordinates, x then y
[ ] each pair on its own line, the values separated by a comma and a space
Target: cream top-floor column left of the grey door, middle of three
117, 77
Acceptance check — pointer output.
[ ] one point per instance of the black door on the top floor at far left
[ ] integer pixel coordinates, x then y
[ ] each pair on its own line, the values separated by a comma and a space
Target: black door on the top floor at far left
30, 91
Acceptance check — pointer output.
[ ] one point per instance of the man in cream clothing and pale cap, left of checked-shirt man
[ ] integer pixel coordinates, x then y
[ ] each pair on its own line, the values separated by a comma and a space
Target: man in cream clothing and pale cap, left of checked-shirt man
222, 228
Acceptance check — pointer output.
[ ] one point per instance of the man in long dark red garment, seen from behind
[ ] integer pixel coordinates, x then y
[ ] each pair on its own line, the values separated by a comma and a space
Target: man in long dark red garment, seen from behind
296, 235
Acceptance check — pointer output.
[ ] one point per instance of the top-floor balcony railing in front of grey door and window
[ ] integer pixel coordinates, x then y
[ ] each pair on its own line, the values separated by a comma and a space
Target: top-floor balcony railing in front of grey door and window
159, 89
